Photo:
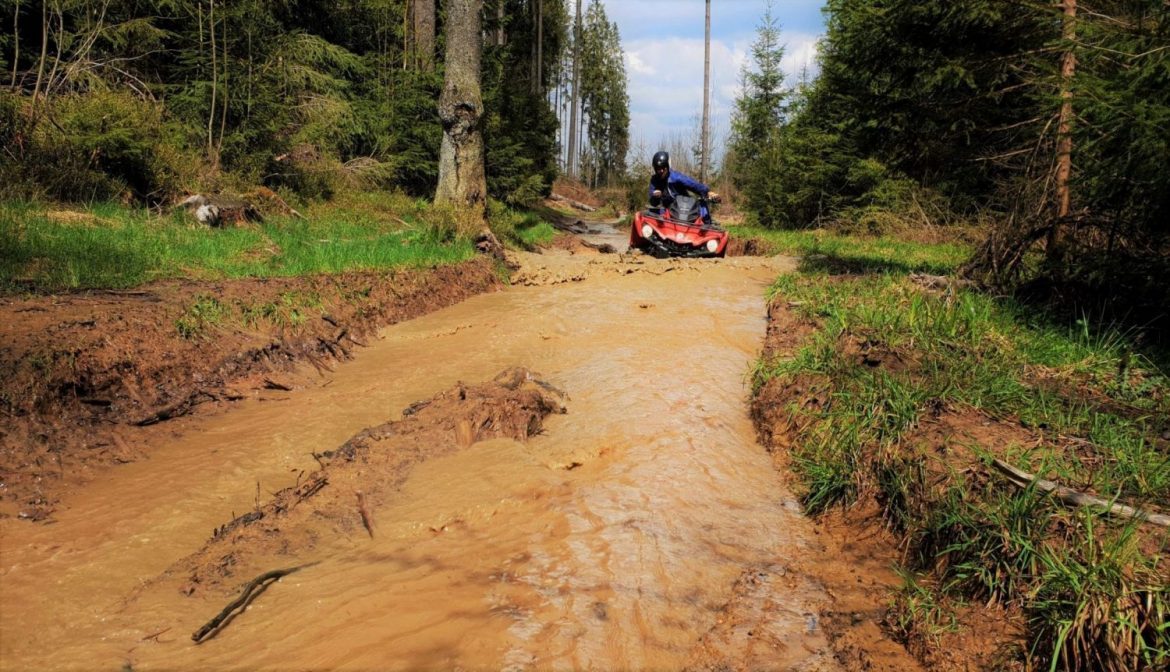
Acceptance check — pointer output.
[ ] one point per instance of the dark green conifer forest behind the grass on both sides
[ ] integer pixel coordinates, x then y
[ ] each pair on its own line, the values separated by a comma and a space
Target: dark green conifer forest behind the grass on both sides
1042, 125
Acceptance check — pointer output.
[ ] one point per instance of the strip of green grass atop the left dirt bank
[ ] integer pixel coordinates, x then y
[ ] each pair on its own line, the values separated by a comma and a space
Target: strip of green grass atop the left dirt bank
109, 246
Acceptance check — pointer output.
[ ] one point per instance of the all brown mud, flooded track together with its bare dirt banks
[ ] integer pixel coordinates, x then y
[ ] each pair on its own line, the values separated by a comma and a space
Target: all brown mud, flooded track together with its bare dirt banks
559, 476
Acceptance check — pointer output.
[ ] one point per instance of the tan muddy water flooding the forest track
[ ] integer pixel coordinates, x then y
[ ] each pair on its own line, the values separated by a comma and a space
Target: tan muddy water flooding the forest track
622, 538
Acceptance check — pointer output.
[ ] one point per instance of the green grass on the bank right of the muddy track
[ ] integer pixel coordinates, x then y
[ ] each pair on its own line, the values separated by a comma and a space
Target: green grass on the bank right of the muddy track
1088, 406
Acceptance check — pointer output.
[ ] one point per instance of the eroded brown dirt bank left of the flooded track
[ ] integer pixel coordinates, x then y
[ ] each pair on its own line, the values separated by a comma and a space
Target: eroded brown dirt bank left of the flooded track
87, 375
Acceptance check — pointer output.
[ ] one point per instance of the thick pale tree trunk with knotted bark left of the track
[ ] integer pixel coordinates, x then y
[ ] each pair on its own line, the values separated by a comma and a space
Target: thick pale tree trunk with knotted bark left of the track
463, 183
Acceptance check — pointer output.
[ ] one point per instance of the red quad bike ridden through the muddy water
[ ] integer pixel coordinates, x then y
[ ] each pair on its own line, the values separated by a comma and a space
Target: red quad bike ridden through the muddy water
678, 231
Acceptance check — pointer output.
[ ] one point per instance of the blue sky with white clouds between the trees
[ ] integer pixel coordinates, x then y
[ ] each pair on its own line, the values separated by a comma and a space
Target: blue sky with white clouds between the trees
664, 52
